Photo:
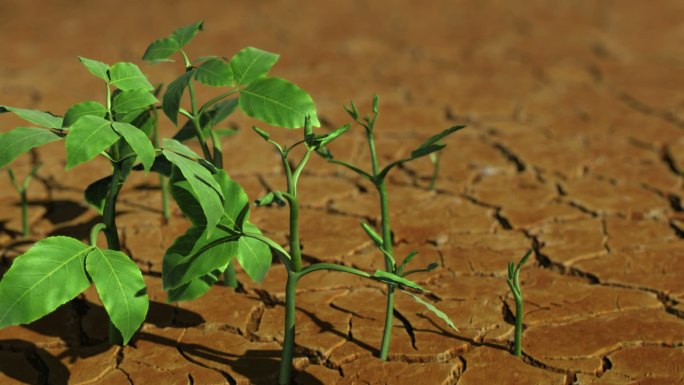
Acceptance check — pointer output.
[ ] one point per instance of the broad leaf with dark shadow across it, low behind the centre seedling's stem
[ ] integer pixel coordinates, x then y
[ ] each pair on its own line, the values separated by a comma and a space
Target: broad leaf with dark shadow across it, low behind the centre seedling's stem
197, 253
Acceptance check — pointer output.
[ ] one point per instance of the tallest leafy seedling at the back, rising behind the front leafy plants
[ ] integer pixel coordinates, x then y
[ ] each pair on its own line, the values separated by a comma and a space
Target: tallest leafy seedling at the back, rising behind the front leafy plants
245, 77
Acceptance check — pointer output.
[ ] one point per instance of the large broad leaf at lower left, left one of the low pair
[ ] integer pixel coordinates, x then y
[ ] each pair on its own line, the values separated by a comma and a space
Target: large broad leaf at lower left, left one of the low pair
40, 280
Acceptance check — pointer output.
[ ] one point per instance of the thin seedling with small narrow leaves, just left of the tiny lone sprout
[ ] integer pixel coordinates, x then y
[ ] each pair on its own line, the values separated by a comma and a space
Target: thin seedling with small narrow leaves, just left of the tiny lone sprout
377, 177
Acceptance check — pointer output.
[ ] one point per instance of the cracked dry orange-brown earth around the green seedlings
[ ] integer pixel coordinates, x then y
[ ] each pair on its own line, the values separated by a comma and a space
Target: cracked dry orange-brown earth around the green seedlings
574, 145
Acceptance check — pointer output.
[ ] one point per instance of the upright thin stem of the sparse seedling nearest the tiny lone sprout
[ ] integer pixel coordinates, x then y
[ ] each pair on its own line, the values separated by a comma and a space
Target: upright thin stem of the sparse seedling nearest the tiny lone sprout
386, 246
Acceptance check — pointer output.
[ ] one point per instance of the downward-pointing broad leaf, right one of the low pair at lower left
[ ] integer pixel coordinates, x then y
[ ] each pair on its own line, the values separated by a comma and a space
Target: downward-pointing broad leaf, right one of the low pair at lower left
121, 287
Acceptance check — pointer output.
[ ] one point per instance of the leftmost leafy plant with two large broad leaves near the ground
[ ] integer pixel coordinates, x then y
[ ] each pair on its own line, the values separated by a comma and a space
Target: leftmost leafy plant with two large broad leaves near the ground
56, 269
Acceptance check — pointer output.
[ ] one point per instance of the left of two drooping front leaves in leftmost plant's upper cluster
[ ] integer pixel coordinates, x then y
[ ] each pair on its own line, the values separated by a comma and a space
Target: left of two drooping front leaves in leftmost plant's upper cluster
88, 137
